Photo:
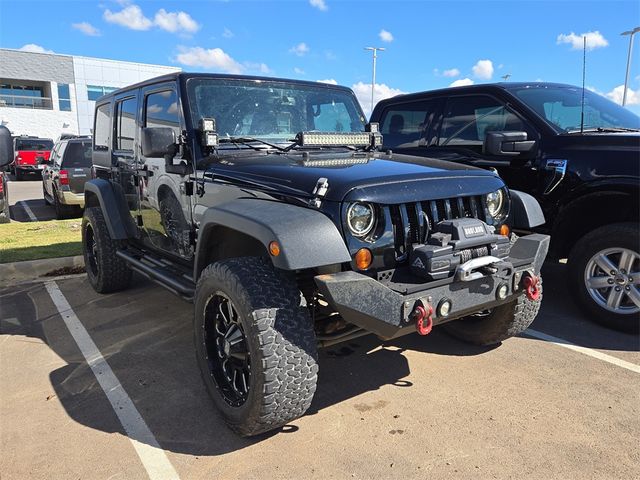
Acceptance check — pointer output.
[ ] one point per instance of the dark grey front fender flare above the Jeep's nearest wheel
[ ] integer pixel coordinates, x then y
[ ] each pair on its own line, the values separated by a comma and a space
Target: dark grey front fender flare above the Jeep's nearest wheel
307, 237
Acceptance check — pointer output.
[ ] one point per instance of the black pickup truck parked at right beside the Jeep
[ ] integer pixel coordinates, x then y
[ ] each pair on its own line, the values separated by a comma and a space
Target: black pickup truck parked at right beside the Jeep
581, 161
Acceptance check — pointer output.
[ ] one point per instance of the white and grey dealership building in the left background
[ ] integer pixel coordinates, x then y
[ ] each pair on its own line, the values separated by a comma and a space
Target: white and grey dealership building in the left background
47, 94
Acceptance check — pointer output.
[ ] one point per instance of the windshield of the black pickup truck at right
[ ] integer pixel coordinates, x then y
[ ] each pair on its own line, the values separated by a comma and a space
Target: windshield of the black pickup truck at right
561, 107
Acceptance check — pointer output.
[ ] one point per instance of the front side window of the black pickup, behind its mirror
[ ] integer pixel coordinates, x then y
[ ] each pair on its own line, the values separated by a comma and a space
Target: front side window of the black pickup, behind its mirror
467, 120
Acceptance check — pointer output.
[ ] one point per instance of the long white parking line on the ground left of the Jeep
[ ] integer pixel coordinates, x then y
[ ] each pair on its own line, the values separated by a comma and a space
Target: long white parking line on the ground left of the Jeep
153, 458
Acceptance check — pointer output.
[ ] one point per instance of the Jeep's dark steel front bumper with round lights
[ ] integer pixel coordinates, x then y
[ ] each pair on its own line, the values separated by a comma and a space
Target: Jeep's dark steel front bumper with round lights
378, 307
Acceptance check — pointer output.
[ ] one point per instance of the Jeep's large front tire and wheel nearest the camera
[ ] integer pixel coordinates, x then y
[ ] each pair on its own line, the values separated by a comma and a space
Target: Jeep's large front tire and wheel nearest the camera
255, 344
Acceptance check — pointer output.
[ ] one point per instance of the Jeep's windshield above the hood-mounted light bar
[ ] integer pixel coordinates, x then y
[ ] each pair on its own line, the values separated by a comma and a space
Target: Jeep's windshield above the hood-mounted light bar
273, 111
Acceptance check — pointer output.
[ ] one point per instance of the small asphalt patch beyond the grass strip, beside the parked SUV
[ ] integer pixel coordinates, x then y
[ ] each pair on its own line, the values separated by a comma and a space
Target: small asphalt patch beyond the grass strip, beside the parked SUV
26, 203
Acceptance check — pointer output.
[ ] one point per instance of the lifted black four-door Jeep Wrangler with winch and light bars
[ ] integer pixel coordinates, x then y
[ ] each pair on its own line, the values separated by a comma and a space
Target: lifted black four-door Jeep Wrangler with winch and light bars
267, 203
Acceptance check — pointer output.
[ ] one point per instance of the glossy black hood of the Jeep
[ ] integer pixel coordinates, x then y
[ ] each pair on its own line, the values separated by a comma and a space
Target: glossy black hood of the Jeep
375, 177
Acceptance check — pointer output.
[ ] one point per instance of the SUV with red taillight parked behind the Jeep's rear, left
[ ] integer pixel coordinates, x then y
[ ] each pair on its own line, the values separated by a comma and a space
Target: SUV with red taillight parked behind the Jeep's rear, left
65, 174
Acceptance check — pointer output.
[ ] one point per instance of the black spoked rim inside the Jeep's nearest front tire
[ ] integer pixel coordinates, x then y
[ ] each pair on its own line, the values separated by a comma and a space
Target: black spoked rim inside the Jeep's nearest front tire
227, 350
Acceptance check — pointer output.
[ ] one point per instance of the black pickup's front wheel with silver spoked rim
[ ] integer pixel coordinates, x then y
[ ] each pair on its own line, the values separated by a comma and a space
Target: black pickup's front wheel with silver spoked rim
604, 274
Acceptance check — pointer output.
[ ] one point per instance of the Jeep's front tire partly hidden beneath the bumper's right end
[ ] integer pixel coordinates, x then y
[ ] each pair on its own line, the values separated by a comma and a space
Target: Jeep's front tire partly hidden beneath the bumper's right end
499, 323
